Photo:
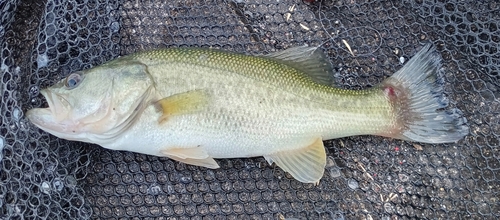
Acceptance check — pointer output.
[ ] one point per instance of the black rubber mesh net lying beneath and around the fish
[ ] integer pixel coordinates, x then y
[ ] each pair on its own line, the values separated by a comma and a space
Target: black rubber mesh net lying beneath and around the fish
367, 177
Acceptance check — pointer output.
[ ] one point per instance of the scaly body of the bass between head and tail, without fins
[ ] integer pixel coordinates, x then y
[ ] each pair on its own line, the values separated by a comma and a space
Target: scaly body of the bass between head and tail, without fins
249, 110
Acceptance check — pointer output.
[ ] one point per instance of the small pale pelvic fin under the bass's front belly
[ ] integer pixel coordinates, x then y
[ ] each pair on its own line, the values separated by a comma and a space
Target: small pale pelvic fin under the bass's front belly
195, 156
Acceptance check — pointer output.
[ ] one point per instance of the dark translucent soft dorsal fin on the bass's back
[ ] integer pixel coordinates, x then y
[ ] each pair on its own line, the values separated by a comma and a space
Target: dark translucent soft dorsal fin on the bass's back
310, 60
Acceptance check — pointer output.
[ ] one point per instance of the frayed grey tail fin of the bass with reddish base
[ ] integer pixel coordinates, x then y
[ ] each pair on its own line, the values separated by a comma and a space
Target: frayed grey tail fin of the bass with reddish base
420, 106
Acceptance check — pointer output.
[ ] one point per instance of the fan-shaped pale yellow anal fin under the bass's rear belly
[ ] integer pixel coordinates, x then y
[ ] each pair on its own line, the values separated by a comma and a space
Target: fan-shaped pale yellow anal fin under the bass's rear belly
306, 164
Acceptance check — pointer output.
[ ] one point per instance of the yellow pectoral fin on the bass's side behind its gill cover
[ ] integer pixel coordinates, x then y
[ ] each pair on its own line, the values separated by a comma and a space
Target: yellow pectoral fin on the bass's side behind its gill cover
182, 103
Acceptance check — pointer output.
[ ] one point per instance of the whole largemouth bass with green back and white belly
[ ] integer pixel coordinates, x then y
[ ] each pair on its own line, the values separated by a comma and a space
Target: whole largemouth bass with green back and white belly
195, 105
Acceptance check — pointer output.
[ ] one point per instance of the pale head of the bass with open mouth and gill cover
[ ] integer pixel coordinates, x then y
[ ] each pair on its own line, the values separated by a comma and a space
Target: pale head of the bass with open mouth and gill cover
95, 105
